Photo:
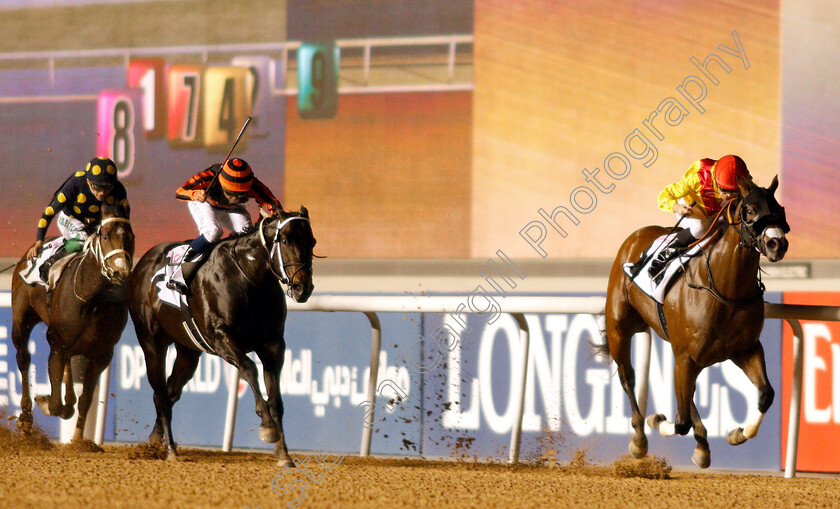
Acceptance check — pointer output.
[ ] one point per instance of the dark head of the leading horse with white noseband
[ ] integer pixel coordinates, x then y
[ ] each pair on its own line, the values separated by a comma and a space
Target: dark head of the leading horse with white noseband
763, 221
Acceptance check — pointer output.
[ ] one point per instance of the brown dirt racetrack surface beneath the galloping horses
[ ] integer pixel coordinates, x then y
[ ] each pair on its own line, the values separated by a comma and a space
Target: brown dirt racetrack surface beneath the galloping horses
38, 474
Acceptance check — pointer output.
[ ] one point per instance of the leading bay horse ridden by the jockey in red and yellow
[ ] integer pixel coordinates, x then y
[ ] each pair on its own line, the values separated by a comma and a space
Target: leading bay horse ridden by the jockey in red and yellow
714, 312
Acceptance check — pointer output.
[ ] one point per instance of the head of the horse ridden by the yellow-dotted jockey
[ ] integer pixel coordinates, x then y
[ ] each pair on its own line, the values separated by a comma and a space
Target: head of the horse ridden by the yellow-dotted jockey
113, 244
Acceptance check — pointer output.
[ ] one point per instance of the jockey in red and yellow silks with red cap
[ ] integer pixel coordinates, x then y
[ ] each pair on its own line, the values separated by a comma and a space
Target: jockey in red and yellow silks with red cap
705, 186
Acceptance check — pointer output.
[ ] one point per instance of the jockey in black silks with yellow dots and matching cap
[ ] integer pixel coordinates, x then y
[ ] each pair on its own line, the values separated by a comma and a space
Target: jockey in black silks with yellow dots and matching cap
77, 205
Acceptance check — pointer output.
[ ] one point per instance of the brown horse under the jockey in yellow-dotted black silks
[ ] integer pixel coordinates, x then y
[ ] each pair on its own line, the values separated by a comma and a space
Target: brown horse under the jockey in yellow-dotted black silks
85, 315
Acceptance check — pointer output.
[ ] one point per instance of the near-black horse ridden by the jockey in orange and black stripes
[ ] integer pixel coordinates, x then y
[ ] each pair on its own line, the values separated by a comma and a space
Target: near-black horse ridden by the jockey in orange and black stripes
239, 307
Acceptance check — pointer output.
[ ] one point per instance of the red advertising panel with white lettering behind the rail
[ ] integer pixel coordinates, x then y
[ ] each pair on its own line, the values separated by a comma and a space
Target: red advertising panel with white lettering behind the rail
819, 431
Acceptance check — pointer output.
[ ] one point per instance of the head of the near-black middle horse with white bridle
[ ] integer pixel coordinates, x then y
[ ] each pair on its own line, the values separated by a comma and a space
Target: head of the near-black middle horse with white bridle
290, 251
